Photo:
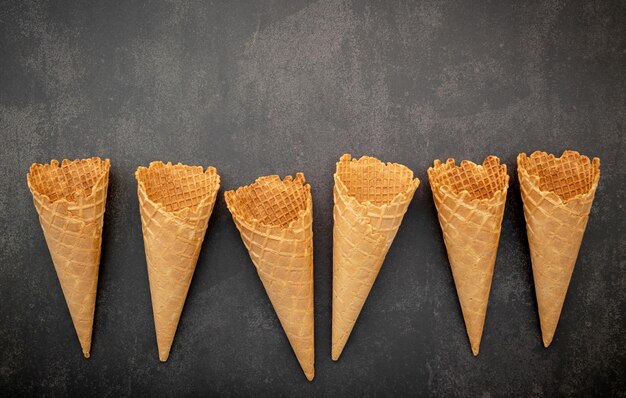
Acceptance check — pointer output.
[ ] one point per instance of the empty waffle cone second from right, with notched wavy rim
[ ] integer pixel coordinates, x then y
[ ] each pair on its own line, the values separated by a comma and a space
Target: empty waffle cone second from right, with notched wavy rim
470, 203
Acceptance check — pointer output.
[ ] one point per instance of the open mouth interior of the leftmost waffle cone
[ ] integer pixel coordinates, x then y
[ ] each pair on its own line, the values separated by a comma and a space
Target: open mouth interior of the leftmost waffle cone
68, 181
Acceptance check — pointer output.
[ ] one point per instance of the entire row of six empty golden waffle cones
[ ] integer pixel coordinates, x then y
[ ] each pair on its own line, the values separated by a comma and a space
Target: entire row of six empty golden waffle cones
275, 217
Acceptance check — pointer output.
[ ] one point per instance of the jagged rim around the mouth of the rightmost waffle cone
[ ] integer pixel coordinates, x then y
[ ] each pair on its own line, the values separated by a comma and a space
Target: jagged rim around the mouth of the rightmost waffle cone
534, 180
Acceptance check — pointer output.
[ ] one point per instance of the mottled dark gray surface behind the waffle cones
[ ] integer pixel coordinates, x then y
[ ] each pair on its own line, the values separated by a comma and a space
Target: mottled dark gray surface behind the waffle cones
257, 88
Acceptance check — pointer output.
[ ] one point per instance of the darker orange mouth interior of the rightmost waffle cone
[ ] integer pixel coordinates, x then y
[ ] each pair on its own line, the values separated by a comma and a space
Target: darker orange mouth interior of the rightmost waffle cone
568, 176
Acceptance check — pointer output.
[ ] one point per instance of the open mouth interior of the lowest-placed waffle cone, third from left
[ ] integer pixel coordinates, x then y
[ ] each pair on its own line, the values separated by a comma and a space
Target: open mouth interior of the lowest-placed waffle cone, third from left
271, 201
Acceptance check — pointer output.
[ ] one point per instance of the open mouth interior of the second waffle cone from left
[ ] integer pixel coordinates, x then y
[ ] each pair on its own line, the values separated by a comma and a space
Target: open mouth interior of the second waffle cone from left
178, 186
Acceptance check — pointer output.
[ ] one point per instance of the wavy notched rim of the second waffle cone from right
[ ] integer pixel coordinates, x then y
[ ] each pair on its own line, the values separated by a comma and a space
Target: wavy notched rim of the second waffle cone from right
464, 195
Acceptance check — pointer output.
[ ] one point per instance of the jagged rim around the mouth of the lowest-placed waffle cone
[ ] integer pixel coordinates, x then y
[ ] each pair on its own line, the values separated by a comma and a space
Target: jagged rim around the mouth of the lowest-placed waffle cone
231, 202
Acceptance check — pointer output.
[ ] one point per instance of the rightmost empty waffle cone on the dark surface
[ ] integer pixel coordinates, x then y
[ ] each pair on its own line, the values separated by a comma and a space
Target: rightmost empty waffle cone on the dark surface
557, 195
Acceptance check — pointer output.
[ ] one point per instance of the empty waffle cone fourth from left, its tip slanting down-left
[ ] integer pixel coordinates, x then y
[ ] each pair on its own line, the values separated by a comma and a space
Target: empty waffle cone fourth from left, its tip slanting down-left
371, 198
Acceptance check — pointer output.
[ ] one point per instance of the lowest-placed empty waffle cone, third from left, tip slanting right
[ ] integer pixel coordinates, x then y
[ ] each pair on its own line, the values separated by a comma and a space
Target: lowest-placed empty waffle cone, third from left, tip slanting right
274, 218
